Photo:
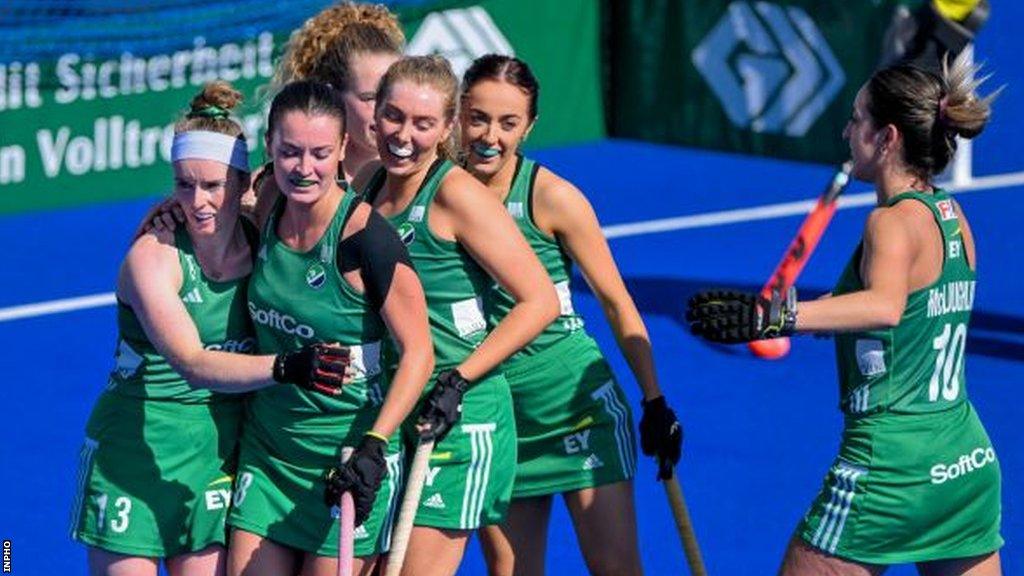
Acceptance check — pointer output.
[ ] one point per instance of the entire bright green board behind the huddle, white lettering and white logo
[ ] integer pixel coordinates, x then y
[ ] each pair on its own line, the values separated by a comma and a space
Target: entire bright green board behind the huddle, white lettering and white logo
88, 127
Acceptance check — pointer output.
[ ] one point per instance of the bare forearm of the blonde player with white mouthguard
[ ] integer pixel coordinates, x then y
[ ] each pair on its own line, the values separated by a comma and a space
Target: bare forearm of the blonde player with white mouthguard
525, 322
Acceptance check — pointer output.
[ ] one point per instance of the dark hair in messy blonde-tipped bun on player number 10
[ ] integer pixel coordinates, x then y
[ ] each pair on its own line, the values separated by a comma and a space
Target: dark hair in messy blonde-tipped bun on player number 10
930, 111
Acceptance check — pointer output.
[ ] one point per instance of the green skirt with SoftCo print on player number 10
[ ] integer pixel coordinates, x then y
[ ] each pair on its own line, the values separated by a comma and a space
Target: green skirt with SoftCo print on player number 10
910, 488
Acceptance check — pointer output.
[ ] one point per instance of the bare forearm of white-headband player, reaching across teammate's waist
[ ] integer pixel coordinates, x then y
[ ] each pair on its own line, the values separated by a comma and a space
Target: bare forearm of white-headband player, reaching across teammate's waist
226, 373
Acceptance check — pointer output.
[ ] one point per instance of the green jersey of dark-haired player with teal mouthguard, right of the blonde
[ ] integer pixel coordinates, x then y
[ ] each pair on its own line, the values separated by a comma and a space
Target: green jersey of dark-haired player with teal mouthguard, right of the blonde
520, 203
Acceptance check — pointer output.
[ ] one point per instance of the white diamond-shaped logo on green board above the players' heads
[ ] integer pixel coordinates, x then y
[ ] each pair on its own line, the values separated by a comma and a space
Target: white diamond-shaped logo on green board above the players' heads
460, 35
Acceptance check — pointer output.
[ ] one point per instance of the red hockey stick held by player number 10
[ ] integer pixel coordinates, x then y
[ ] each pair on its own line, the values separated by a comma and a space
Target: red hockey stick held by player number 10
797, 255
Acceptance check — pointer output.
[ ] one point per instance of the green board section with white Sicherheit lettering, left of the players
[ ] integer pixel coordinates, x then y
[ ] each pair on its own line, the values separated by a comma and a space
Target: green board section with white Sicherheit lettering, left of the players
84, 130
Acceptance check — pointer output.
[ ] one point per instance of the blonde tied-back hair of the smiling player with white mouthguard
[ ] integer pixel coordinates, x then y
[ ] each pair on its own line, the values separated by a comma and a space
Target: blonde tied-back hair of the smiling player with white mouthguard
431, 71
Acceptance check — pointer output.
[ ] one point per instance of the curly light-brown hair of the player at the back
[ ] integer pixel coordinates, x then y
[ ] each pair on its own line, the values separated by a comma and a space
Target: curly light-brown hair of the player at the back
322, 49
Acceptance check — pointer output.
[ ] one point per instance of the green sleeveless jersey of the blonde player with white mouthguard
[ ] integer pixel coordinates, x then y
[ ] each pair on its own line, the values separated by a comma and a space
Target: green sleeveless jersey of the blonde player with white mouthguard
454, 283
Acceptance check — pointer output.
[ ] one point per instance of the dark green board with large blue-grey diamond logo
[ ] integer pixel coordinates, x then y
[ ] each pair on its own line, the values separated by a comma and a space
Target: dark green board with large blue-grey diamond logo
776, 78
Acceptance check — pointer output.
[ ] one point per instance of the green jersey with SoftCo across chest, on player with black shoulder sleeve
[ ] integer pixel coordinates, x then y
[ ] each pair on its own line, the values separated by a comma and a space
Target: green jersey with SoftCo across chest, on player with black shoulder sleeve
298, 299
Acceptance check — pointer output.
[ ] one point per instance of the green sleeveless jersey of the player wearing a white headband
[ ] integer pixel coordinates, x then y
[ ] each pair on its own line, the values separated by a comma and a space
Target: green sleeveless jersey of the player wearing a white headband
218, 309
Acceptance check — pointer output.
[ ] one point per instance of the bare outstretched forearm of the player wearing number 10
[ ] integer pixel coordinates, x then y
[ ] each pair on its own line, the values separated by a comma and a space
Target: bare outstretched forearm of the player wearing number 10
848, 313
